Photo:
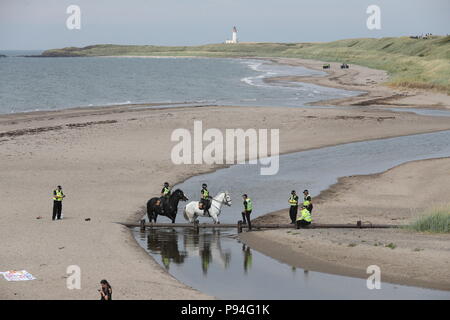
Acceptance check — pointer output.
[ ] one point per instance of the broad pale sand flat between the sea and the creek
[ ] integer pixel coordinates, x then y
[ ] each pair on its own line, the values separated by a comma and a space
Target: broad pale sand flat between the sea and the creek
99, 149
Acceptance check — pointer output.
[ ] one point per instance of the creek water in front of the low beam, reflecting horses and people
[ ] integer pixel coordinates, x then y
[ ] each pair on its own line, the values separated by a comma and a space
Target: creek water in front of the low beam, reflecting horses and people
214, 261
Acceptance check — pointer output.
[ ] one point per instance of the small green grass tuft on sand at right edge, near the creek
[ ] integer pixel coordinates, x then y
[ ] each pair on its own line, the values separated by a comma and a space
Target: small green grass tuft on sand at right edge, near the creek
435, 221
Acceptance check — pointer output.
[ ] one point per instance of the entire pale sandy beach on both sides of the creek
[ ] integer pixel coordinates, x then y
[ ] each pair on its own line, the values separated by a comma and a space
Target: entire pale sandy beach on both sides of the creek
111, 160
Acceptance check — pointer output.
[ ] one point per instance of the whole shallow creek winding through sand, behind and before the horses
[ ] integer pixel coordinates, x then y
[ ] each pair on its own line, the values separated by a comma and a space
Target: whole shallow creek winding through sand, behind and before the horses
217, 263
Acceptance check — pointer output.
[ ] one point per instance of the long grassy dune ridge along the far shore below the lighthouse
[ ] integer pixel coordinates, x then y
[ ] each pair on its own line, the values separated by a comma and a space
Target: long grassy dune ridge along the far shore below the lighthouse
411, 63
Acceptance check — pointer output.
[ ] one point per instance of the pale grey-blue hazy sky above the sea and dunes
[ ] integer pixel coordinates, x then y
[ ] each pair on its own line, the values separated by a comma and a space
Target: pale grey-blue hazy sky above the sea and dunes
41, 24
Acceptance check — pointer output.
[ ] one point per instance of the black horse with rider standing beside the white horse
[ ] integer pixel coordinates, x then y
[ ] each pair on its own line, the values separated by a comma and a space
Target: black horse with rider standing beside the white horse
167, 207
